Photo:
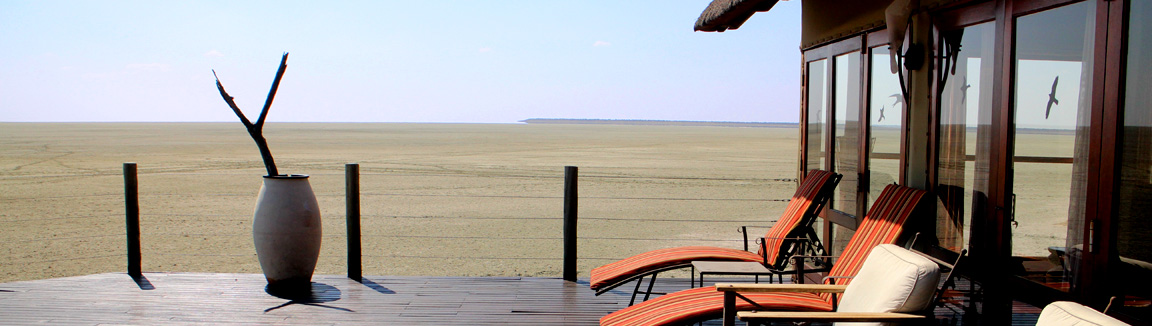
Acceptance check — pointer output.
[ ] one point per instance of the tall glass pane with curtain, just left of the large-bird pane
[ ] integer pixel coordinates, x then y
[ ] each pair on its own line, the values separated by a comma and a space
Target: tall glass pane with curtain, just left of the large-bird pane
966, 103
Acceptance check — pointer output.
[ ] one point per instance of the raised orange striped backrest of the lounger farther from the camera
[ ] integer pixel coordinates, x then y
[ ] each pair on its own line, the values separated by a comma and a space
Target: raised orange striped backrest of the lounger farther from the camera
794, 215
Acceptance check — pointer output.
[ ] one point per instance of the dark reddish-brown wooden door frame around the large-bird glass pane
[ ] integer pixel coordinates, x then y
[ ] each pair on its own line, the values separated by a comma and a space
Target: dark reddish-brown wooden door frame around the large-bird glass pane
991, 245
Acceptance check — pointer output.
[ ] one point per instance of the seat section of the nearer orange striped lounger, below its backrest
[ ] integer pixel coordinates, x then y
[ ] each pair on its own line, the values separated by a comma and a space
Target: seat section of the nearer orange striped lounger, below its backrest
706, 304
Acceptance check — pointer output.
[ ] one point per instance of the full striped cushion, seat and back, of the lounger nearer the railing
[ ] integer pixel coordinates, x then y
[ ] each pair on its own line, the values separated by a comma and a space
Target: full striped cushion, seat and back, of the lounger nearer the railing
645, 263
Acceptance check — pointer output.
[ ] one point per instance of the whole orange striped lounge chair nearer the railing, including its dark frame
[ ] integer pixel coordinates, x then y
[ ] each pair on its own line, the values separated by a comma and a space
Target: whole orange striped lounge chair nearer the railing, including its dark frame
791, 234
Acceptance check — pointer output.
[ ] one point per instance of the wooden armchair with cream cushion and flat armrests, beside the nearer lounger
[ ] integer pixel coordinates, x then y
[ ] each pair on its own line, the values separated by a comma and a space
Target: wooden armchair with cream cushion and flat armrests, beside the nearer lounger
893, 285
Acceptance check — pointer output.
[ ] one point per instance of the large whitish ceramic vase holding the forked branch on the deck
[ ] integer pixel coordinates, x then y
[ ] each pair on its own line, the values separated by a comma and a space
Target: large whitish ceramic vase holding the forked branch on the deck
286, 231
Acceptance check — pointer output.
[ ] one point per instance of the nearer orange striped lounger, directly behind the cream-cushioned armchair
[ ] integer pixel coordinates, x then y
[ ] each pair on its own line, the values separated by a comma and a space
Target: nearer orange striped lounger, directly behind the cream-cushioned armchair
884, 224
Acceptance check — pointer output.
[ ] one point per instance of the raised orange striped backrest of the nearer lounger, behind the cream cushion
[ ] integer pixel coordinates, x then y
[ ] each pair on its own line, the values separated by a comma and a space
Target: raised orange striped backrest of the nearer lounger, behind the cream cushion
884, 223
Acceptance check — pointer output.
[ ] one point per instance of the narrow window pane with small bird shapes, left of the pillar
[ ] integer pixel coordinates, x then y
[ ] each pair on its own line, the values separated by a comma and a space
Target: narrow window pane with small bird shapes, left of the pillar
886, 113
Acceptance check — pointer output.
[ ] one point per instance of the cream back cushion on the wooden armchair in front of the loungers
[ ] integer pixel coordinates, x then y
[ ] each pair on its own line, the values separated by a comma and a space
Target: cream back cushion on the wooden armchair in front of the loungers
892, 280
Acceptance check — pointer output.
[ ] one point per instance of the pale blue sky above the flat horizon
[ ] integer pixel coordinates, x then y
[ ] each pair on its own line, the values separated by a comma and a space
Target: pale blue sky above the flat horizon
395, 62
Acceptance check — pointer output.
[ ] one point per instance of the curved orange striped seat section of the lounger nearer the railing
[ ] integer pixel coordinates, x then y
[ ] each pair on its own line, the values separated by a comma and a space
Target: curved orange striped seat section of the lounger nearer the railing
660, 259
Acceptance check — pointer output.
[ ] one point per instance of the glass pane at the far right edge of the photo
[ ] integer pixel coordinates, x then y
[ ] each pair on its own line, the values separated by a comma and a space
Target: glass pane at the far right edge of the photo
1134, 246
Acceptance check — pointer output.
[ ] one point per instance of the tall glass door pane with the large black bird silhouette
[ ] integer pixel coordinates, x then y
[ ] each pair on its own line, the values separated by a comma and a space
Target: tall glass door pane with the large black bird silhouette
1050, 163
